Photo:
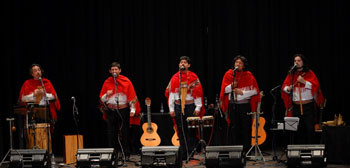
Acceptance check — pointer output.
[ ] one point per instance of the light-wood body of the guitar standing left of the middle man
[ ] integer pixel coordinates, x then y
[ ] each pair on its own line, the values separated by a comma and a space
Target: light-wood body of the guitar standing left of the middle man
150, 136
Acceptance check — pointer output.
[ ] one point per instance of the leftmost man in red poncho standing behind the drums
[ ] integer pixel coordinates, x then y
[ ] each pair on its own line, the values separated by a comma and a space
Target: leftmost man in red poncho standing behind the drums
32, 93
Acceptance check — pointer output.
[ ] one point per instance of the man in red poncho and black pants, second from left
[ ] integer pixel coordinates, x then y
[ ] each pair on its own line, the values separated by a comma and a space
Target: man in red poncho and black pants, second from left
122, 108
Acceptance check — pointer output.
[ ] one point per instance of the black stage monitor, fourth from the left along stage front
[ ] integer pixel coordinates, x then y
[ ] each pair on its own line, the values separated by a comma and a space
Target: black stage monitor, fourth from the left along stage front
221, 156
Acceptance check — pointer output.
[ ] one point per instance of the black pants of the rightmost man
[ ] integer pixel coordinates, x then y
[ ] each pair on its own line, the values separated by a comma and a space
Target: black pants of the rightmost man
305, 133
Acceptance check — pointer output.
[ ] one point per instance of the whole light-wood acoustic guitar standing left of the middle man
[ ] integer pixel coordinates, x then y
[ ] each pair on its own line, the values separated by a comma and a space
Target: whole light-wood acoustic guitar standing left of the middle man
150, 136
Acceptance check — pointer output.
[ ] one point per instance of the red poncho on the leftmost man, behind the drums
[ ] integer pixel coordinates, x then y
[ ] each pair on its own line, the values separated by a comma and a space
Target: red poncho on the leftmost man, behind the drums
30, 85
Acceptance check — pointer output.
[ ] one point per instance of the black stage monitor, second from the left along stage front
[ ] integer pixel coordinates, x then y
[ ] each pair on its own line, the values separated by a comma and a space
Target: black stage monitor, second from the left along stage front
96, 157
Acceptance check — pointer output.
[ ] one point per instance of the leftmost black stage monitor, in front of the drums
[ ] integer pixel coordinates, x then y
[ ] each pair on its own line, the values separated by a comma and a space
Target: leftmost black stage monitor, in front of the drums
29, 158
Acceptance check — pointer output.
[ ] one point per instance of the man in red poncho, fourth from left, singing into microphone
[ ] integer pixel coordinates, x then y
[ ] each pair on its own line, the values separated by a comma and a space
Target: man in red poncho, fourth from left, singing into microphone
239, 96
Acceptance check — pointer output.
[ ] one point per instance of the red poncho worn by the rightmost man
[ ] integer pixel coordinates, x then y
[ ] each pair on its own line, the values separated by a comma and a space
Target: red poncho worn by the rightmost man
315, 90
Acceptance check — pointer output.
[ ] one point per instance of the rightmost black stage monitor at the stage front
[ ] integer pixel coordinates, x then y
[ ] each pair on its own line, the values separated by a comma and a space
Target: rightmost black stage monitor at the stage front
312, 155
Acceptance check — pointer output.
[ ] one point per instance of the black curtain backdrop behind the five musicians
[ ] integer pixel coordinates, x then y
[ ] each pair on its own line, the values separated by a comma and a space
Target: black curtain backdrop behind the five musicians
75, 41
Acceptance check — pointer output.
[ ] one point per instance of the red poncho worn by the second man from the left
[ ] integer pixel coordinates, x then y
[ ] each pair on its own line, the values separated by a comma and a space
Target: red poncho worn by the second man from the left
124, 86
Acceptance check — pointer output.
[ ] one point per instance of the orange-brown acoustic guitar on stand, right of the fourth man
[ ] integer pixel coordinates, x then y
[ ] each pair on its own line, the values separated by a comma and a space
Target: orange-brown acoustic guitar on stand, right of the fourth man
261, 123
